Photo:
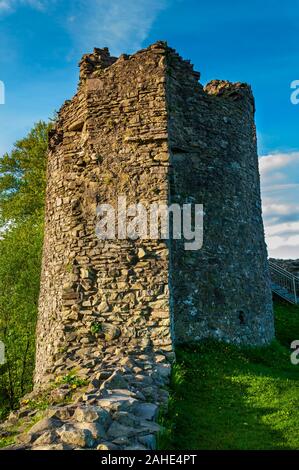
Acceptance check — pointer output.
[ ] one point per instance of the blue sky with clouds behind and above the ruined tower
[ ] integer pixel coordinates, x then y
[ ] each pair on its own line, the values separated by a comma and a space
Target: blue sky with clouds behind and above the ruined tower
41, 42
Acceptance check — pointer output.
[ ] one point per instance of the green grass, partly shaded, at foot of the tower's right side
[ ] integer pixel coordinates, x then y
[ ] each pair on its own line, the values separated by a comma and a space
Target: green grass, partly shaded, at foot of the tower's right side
224, 397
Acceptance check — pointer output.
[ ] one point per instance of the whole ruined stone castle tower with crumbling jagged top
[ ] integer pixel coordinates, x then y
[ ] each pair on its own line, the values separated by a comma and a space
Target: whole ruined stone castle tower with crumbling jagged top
143, 126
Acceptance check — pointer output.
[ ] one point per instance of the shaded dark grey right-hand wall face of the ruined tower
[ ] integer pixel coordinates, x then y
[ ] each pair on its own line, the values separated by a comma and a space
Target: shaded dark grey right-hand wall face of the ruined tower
222, 290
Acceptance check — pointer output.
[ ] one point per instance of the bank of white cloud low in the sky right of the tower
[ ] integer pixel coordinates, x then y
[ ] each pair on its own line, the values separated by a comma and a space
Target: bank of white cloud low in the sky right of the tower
280, 196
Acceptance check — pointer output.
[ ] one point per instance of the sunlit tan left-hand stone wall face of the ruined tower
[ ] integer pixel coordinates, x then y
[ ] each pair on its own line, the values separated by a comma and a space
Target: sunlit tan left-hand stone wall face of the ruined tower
110, 140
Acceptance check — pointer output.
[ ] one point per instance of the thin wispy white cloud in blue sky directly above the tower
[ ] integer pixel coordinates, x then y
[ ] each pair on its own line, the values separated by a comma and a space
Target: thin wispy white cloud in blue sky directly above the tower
120, 25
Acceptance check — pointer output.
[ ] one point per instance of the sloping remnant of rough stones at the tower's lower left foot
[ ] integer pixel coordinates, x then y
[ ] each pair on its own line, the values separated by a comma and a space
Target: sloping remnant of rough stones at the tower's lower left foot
117, 410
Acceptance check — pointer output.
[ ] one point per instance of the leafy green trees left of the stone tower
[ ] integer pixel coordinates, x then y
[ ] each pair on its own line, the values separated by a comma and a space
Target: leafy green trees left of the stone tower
22, 192
